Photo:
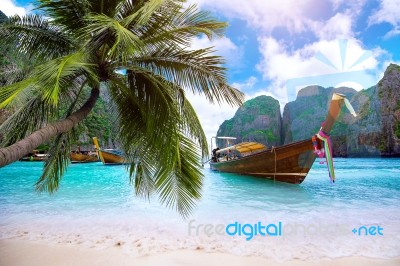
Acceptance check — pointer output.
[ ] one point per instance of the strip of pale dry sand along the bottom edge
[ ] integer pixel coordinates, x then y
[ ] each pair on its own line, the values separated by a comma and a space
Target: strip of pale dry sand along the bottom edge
22, 252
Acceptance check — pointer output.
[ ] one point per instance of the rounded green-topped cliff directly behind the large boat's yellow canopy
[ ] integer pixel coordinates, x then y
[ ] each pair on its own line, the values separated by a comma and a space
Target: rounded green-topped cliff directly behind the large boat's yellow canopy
257, 120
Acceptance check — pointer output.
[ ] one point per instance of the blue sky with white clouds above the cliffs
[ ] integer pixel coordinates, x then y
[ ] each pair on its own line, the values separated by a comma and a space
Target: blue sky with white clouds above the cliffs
278, 47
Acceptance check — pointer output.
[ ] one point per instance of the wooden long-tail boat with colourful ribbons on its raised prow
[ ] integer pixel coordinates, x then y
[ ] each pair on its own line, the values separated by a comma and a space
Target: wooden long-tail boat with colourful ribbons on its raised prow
287, 163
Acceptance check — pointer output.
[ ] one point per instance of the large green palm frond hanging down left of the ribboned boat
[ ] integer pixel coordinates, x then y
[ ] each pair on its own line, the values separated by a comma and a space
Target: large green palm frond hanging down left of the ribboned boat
153, 133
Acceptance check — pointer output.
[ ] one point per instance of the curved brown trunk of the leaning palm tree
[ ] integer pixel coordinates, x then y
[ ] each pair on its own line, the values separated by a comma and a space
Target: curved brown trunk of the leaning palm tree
17, 150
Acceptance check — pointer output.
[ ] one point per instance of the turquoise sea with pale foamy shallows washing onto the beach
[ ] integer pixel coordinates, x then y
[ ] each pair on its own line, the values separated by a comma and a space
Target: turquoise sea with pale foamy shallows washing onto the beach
96, 207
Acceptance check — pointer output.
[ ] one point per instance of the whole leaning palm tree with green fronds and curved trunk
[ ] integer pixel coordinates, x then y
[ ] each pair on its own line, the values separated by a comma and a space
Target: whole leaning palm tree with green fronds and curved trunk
137, 52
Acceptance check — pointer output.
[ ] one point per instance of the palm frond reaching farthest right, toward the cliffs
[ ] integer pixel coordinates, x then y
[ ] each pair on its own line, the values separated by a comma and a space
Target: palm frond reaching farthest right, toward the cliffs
195, 70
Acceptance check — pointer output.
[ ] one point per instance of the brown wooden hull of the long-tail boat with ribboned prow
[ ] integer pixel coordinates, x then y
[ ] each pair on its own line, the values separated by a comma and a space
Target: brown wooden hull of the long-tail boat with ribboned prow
288, 163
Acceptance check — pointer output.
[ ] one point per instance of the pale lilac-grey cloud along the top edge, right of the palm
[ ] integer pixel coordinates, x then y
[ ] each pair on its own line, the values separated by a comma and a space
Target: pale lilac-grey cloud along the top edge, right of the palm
294, 16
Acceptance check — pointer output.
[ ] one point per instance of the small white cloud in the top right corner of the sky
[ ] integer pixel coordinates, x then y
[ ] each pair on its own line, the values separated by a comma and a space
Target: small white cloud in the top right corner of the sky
389, 12
